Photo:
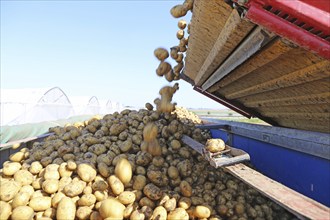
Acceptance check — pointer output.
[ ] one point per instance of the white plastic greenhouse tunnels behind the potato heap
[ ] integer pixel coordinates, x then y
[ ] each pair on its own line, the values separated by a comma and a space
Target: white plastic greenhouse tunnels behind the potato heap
30, 112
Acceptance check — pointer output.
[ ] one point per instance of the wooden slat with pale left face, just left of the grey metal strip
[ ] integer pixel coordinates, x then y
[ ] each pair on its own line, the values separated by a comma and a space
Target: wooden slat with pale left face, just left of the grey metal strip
230, 36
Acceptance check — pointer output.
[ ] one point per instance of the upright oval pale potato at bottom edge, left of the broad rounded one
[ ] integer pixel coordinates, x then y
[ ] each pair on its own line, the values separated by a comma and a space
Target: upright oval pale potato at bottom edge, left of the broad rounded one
66, 209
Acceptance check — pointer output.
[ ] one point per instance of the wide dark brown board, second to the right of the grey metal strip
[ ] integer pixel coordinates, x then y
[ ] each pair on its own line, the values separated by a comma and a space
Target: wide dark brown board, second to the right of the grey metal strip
294, 60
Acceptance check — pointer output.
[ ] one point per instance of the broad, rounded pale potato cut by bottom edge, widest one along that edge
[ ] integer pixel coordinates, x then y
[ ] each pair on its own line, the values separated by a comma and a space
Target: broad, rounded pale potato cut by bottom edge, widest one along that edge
112, 208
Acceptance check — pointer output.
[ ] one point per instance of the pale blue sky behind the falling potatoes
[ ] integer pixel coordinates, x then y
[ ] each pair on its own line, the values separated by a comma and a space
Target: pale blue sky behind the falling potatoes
91, 48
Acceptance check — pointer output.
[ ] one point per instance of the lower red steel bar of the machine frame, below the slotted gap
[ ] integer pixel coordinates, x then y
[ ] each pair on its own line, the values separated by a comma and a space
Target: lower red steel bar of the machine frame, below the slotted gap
285, 29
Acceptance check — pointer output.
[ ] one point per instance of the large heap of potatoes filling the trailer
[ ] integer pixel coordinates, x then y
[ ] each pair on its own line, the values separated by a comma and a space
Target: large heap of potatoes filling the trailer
128, 165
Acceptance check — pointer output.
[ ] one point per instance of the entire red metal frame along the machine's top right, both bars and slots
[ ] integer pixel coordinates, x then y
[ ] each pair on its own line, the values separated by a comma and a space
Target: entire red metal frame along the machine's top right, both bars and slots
304, 22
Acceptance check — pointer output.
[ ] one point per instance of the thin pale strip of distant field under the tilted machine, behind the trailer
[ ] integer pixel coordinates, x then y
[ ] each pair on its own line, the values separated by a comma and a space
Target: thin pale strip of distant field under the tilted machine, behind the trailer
225, 114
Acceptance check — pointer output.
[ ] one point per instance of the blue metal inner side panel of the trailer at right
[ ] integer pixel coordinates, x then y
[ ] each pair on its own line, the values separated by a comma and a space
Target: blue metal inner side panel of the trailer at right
307, 174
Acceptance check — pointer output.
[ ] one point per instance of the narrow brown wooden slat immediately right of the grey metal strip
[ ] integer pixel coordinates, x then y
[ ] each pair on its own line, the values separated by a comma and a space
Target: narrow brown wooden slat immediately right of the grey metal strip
273, 51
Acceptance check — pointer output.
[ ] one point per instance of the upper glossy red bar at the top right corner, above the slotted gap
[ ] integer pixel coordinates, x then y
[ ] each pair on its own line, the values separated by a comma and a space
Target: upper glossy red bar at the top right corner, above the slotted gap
313, 13
